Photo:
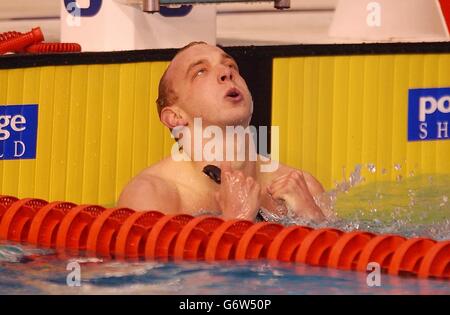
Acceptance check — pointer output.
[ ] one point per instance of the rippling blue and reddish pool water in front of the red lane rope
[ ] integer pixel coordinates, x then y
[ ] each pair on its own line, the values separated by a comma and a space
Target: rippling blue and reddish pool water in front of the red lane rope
47, 275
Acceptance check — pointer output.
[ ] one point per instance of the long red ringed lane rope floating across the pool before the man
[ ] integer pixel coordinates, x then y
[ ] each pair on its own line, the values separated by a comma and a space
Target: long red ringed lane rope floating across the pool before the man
127, 234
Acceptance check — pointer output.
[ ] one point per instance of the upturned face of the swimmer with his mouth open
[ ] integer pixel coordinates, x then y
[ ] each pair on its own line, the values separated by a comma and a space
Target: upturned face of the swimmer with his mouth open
208, 85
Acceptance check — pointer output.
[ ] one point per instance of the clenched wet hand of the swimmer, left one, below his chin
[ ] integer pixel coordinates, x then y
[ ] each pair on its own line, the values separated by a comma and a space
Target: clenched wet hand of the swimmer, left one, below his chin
238, 196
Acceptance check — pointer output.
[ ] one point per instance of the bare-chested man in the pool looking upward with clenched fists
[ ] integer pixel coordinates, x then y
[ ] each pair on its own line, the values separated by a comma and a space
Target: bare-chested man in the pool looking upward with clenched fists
203, 81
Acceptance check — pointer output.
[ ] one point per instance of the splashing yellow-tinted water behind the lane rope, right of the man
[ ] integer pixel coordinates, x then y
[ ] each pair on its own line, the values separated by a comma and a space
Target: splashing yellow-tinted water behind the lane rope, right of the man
412, 206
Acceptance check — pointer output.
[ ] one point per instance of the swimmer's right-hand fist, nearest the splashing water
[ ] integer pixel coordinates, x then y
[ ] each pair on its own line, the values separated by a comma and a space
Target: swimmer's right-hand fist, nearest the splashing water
293, 190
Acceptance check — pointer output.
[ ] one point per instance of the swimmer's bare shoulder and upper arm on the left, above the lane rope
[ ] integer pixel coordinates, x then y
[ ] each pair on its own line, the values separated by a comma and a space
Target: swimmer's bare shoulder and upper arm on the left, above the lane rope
148, 192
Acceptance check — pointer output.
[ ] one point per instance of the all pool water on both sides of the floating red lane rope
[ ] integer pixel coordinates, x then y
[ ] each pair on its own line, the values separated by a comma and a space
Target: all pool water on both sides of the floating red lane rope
415, 206
